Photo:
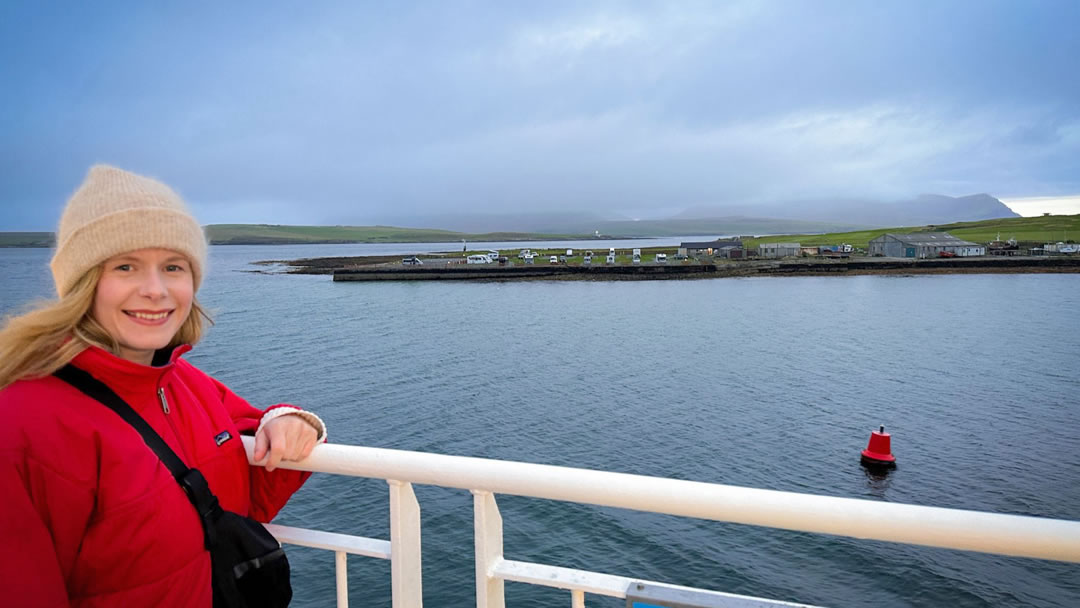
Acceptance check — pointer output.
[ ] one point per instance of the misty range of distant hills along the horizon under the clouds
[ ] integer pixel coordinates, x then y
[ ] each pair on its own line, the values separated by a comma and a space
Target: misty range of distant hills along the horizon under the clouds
800, 218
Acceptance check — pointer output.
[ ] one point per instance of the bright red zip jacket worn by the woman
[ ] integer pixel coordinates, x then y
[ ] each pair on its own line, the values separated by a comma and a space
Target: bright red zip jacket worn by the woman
91, 517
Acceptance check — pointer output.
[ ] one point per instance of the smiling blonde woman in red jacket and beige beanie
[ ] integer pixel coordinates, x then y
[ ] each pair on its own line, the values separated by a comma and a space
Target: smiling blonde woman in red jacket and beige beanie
90, 515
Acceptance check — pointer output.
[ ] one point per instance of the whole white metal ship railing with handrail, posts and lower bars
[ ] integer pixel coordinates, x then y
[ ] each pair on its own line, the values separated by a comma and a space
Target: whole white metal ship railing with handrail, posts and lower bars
930, 526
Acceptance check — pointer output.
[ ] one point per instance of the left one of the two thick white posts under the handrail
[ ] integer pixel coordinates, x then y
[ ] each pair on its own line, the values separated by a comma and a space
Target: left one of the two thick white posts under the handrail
404, 547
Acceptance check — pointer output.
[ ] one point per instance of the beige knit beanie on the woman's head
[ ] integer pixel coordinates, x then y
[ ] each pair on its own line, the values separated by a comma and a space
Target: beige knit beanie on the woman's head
115, 212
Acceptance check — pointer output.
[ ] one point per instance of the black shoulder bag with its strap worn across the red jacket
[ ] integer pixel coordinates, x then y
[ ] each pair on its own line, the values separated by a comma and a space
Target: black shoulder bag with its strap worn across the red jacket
250, 569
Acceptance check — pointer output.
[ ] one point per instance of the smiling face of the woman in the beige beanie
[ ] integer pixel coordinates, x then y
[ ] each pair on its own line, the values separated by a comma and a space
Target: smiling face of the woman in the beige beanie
142, 301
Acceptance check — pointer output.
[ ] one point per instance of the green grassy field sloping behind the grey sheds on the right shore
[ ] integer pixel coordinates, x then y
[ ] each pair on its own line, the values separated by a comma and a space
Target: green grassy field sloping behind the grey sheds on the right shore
1027, 231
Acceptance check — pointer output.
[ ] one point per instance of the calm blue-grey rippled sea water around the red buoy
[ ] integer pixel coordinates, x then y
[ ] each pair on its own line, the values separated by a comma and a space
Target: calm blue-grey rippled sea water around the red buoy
765, 383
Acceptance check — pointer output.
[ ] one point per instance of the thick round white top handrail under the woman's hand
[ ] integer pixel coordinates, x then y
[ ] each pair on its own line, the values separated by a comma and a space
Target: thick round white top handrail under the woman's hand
931, 526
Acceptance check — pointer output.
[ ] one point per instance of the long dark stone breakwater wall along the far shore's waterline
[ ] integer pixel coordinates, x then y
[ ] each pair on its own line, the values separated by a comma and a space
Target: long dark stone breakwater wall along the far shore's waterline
752, 268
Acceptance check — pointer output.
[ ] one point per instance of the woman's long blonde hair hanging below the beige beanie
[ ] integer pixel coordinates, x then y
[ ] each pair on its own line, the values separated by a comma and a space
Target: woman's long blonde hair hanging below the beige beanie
38, 343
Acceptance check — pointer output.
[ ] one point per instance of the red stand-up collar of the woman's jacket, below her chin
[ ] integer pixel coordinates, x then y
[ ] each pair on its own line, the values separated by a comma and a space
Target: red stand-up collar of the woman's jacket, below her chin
129, 379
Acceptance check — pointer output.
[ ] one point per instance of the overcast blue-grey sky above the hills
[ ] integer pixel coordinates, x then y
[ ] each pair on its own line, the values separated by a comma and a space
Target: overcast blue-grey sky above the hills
358, 113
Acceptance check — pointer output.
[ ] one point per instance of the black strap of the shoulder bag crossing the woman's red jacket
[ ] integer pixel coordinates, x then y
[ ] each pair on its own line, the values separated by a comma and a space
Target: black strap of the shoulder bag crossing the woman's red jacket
191, 480
